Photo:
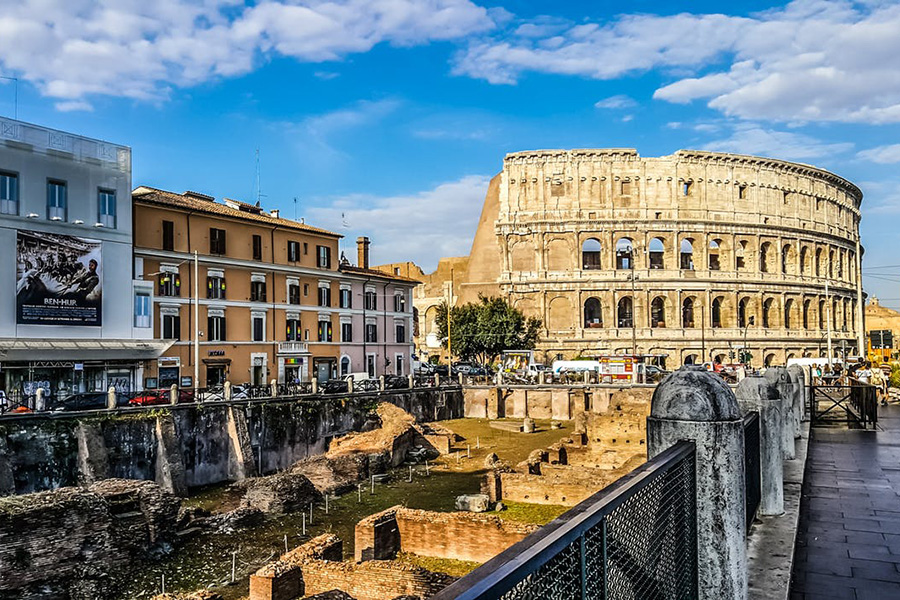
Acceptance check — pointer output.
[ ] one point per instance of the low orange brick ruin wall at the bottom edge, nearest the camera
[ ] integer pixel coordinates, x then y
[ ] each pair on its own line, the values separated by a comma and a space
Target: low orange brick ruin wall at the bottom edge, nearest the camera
315, 568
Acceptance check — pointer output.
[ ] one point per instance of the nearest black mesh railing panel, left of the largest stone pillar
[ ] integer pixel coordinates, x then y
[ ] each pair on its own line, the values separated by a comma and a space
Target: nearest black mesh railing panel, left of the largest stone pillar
636, 538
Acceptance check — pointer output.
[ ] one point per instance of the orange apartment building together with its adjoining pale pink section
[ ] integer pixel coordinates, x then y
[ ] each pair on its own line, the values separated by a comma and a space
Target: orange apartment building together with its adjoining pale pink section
272, 300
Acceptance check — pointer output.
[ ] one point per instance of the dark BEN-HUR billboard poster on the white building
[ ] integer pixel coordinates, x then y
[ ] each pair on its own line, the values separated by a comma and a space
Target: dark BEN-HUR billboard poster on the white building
58, 279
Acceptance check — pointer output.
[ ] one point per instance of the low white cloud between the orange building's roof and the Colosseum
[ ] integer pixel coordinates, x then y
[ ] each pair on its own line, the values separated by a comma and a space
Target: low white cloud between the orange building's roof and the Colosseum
423, 226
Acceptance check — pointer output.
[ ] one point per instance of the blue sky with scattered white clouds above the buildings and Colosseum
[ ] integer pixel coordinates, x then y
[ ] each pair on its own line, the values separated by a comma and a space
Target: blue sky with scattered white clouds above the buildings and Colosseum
388, 117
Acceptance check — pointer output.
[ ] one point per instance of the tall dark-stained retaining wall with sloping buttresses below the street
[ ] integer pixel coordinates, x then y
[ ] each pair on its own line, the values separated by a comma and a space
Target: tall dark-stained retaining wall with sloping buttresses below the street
188, 445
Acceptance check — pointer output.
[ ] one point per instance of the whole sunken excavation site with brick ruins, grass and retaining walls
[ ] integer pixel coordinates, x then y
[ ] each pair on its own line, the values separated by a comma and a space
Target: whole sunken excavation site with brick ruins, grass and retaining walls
354, 499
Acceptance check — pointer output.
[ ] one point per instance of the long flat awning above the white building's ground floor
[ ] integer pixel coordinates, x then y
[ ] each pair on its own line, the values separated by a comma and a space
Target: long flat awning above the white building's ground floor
80, 350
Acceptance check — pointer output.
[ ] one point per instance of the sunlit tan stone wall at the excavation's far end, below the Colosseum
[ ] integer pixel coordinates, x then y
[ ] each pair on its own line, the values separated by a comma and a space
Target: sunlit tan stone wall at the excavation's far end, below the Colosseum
543, 401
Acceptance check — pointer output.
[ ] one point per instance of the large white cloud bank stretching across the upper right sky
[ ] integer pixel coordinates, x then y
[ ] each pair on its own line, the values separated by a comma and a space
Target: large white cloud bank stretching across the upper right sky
813, 60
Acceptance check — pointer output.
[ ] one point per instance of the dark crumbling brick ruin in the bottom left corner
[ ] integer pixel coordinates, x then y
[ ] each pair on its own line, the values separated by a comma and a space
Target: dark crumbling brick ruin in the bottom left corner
68, 544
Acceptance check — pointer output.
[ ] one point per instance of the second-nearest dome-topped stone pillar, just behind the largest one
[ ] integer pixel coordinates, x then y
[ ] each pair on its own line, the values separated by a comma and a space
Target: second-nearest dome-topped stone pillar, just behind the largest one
755, 393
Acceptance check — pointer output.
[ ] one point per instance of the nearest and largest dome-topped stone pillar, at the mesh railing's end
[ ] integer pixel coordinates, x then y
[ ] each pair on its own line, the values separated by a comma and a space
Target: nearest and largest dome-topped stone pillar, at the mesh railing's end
693, 404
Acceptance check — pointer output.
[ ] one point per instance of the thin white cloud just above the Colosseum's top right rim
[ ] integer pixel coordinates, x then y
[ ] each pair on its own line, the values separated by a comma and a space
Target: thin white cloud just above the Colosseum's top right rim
753, 139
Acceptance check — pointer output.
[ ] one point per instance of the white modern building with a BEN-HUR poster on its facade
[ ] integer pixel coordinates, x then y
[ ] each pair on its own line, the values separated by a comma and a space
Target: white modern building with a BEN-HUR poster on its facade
72, 316
